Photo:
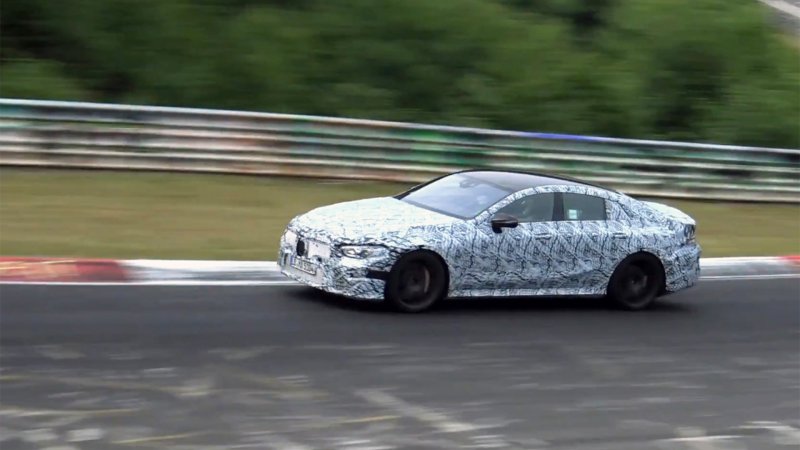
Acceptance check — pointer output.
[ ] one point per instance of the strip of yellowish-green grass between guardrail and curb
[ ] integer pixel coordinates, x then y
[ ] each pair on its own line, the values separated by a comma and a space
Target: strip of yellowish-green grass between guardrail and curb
163, 215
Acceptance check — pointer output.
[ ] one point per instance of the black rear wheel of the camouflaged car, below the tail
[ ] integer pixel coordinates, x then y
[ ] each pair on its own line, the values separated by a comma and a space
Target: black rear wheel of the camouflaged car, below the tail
637, 282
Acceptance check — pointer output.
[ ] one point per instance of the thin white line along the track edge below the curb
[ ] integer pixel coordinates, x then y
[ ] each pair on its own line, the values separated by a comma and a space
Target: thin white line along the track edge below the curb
754, 277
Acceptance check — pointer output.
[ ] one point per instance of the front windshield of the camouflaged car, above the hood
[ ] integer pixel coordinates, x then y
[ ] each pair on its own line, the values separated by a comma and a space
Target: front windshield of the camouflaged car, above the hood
459, 195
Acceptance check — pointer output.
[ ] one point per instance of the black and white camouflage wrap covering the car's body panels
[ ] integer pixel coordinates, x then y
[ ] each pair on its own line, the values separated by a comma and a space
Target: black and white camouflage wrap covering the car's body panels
544, 258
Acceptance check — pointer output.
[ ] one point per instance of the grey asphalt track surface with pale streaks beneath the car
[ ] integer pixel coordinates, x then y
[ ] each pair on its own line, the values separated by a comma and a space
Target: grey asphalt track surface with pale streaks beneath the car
717, 367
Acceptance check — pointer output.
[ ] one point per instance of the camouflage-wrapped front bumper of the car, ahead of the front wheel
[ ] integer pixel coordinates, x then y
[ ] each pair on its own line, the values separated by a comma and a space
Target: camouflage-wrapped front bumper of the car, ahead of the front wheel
355, 278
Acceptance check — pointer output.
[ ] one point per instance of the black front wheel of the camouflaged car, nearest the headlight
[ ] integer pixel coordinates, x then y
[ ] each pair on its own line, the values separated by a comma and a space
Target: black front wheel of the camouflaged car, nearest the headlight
417, 281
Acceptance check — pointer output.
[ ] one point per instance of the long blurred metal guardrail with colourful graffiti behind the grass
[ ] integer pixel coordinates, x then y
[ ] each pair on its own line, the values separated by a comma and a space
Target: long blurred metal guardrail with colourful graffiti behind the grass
91, 135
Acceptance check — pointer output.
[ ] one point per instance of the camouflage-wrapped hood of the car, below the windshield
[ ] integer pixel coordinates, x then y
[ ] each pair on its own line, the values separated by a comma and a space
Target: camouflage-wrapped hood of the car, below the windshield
363, 221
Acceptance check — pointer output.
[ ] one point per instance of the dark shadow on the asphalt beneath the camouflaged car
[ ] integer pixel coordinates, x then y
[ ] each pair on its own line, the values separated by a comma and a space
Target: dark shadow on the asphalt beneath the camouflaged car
485, 305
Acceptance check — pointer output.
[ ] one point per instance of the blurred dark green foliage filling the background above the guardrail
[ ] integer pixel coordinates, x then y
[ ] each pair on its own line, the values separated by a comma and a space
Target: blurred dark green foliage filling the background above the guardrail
705, 70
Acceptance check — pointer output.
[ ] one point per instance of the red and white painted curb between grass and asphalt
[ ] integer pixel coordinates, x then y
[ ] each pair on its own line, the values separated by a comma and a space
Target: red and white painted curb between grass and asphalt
32, 270
